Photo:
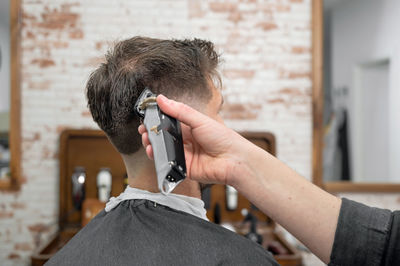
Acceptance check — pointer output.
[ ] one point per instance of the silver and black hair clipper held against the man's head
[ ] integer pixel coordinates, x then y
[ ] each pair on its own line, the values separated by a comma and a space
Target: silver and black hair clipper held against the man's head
165, 136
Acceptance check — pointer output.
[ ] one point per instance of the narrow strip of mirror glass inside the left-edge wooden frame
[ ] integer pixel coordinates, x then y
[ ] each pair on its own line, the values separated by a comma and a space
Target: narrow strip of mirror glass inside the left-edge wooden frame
4, 89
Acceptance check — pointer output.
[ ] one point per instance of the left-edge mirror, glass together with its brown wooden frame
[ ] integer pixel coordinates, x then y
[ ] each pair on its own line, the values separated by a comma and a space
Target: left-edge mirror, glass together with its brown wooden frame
10, 119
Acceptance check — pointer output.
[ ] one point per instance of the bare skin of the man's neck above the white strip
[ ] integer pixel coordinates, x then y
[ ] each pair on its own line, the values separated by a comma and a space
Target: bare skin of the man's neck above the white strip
143, 176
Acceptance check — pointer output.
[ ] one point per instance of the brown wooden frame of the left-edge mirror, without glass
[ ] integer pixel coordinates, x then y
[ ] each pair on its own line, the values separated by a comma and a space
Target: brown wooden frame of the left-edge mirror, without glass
14, 133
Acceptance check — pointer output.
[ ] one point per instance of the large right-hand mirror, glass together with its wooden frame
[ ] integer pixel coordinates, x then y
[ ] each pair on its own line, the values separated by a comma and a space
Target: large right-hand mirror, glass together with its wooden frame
358, 52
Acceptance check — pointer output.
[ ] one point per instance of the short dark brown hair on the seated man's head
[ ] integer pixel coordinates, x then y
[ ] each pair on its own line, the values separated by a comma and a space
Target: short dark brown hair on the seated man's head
179, 69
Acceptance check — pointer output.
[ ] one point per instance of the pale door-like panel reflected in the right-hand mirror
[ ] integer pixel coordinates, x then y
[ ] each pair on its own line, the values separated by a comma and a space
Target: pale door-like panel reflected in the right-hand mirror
374, 117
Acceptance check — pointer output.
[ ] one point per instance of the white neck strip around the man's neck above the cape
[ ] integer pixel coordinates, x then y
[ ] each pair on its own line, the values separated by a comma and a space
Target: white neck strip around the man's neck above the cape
183, 203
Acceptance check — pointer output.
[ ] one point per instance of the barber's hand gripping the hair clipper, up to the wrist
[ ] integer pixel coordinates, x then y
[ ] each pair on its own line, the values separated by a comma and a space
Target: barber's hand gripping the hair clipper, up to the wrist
212, 150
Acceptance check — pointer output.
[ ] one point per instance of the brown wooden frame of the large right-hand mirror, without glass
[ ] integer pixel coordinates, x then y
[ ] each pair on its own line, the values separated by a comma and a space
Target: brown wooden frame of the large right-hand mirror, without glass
317, 21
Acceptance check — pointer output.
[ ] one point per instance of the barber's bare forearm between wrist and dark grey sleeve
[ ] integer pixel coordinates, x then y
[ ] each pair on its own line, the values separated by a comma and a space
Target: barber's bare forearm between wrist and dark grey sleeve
305, 210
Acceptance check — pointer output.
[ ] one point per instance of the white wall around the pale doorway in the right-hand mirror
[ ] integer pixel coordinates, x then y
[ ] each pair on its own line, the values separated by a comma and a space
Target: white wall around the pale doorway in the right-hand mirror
365, 31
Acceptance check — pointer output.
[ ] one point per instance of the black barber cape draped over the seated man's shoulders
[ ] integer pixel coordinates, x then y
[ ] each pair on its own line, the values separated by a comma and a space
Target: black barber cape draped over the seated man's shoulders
140, 232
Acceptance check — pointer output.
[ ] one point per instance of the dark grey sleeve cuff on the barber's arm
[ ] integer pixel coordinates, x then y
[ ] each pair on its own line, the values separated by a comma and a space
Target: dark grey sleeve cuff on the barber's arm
361, 236
